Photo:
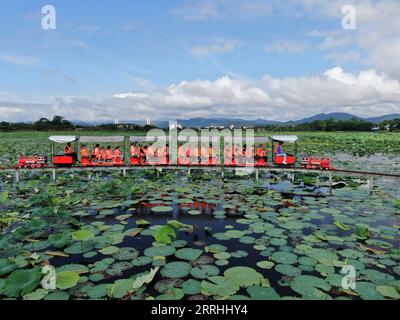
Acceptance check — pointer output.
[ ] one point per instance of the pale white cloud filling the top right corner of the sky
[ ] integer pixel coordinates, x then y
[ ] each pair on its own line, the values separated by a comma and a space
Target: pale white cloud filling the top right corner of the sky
377, 33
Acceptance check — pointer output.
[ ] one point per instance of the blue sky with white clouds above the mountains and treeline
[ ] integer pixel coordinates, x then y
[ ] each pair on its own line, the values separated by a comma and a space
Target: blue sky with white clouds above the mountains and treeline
167, 59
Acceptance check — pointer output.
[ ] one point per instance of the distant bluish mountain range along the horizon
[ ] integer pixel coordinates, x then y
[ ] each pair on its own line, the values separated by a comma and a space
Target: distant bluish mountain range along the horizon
226, 122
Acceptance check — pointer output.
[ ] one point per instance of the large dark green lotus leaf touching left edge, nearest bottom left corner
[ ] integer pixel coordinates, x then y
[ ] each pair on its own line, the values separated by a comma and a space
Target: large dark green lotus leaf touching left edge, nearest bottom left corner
21, 282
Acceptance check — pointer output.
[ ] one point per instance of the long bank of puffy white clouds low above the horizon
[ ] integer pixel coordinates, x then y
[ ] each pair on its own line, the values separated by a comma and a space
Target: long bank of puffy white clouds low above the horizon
368, 93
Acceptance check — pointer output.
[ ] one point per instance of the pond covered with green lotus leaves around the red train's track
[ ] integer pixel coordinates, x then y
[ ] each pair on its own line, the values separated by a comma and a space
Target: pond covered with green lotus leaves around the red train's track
167, 235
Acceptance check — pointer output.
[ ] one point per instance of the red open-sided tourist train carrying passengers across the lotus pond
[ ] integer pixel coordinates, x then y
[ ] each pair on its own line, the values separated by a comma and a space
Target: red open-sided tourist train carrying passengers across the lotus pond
109, 151
